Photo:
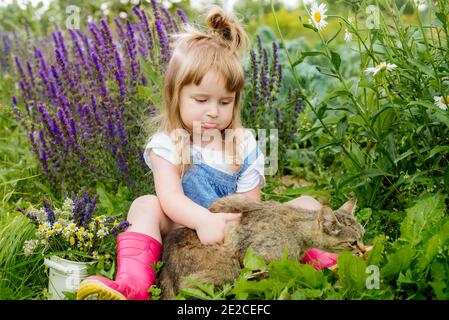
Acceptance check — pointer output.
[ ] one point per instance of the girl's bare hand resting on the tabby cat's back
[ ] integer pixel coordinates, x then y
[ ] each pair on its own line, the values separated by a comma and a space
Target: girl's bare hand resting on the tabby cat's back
210, 230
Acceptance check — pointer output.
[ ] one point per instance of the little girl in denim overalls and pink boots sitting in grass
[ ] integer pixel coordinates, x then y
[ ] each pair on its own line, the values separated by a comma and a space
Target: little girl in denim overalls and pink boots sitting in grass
202, 96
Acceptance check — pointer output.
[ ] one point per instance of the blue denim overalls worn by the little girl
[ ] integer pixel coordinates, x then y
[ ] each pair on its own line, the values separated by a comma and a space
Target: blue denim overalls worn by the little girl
204, 184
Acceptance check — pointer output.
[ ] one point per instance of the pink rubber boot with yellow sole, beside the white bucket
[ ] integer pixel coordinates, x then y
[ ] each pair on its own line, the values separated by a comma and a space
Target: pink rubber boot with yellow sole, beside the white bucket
135, 253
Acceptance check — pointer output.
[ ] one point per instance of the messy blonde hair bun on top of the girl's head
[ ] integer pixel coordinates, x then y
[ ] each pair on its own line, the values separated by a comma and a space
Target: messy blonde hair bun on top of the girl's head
227, 28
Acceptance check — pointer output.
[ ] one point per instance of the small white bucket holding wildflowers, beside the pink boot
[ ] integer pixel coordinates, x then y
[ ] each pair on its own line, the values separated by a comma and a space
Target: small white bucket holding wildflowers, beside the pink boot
64, 275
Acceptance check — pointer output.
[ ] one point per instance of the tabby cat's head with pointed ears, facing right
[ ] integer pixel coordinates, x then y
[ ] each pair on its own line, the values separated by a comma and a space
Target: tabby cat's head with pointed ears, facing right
339, 229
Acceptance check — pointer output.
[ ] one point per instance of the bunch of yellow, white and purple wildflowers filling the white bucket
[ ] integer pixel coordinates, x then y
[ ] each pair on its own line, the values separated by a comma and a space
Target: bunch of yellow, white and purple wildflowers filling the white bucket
74, 231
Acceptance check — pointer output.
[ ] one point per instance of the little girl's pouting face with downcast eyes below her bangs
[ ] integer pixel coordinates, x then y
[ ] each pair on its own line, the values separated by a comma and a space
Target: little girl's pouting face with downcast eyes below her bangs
208, 105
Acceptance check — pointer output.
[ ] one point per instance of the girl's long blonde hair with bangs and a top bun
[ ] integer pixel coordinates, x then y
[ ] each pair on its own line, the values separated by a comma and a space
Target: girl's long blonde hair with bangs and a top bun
195, 53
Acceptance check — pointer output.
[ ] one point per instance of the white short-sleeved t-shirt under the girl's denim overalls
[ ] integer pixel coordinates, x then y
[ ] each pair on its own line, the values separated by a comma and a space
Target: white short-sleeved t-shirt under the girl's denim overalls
163, 146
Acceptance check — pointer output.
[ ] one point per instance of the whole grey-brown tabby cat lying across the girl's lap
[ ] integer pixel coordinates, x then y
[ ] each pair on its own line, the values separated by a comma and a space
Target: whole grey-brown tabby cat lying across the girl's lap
268, 227
